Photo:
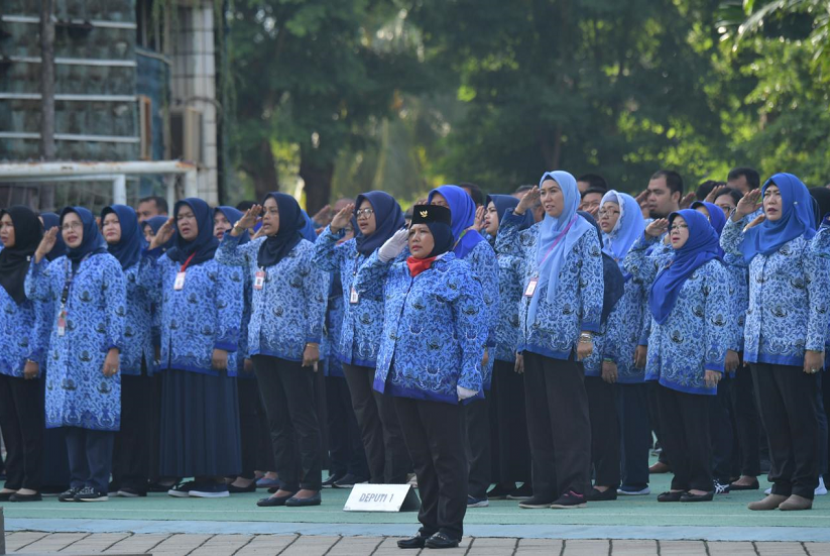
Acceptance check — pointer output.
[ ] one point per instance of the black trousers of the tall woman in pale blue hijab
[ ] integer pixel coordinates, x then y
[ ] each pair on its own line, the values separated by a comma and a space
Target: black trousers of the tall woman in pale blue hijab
558, 424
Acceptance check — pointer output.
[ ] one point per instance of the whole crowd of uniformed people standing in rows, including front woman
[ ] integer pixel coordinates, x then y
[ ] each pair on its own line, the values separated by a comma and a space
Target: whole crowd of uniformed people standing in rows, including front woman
526, 346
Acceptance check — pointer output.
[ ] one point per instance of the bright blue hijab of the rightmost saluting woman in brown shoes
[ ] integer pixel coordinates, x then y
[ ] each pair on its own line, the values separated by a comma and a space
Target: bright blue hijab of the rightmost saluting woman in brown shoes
797, 219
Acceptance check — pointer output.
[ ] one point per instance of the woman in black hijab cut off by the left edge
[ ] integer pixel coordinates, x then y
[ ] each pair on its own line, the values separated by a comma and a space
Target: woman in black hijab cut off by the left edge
21, 357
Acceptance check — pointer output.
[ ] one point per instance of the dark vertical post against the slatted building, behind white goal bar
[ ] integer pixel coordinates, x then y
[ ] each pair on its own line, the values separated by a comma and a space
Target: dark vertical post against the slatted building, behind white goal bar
47, 96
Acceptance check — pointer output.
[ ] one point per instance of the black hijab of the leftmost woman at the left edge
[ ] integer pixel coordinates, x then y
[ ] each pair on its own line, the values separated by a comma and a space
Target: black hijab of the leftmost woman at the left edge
14, 261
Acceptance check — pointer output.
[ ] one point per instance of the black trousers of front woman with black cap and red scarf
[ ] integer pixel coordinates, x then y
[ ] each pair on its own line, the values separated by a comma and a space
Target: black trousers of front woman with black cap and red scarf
434, 435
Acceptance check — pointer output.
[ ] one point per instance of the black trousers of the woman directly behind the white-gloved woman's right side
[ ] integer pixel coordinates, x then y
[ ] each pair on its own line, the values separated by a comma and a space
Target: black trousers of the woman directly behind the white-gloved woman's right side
477, 446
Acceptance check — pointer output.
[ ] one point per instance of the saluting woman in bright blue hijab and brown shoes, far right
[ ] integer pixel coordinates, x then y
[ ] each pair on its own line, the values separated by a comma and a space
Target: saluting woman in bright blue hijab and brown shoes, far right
785, 331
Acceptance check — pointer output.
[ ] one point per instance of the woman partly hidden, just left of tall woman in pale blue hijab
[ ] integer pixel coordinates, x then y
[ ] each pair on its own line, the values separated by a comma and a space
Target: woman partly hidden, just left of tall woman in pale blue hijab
507, 402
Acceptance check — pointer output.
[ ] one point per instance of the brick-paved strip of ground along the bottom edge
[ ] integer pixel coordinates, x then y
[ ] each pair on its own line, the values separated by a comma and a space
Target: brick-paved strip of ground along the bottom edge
294, 545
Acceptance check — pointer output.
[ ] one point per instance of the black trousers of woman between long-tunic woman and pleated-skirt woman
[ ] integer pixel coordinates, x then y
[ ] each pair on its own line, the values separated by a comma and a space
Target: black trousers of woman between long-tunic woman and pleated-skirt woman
131, 452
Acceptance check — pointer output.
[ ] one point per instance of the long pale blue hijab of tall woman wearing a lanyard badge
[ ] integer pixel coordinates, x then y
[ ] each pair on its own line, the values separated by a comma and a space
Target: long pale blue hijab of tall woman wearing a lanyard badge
557, 237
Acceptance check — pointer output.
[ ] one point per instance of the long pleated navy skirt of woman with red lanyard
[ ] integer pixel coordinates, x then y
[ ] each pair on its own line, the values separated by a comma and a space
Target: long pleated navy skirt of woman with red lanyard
199, 425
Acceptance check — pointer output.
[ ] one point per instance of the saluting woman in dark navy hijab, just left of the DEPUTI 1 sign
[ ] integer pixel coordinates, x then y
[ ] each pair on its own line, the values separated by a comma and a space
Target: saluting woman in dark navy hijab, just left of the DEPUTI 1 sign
284, 335
